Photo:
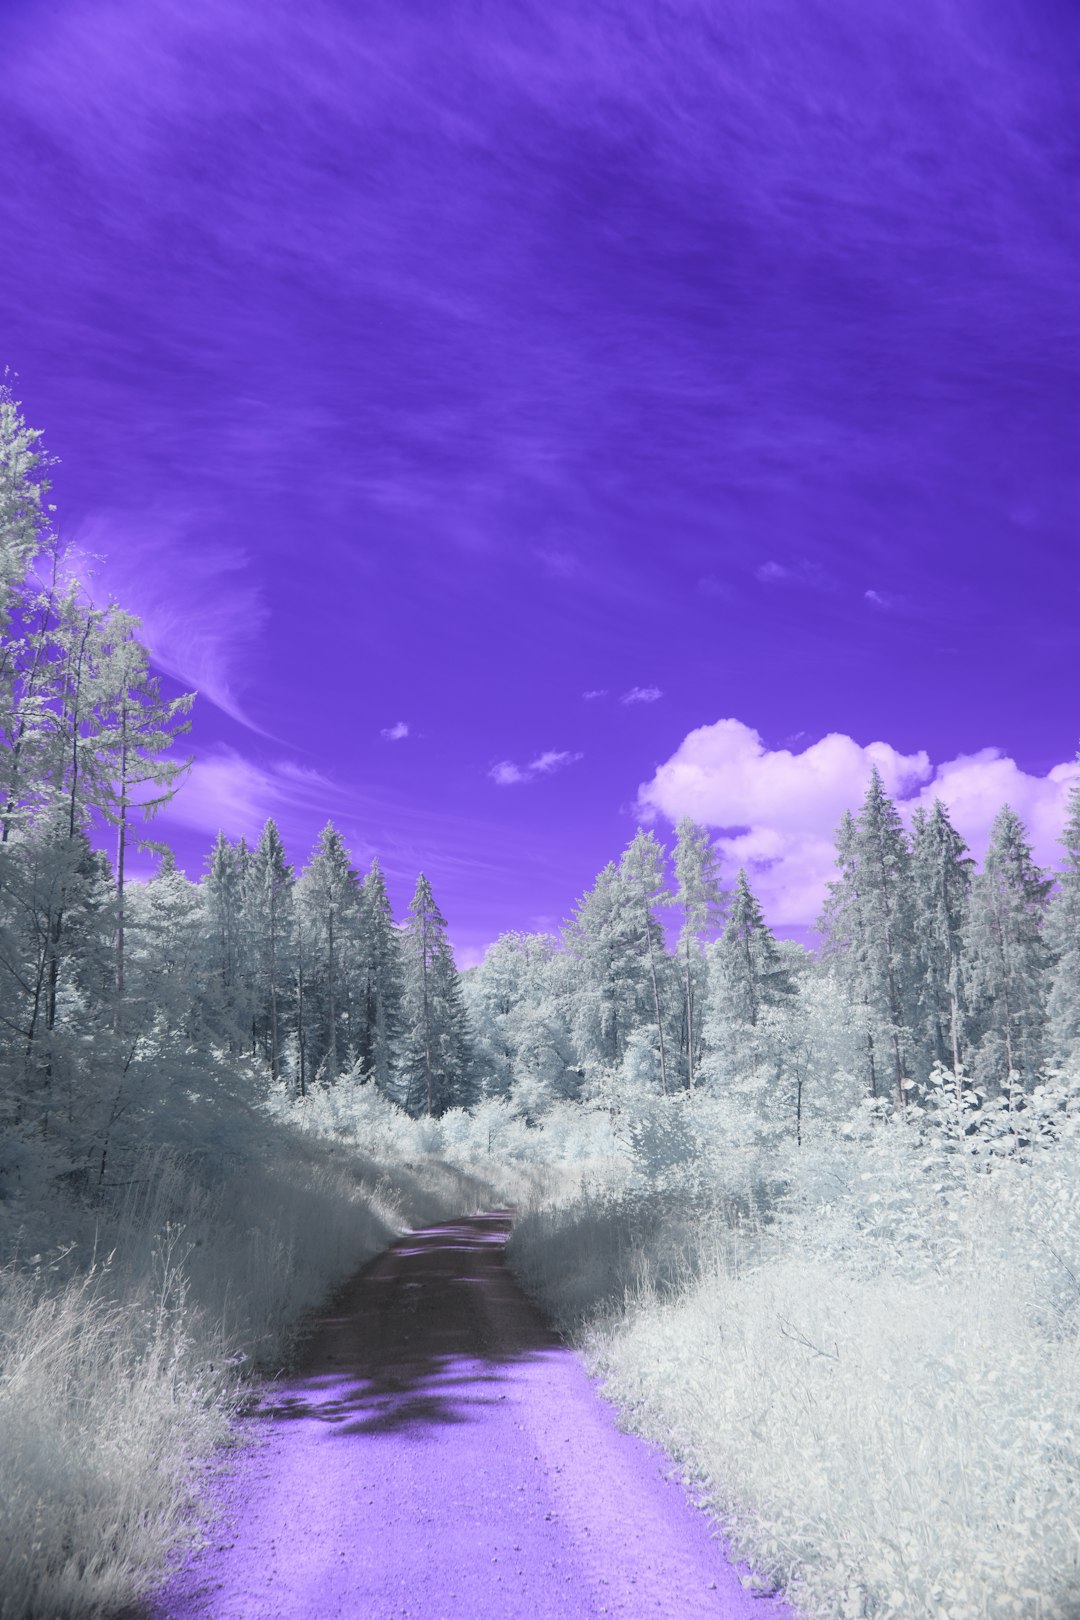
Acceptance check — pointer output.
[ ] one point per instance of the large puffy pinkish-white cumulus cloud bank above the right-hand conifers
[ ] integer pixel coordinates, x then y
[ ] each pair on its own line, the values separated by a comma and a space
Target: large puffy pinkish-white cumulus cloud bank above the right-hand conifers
776, 812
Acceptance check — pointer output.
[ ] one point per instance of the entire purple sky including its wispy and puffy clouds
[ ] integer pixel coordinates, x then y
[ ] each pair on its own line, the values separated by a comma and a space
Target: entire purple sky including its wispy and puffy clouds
443, 364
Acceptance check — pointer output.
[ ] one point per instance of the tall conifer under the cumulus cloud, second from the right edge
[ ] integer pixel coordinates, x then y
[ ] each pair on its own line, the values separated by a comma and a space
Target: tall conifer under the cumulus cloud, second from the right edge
1005, 944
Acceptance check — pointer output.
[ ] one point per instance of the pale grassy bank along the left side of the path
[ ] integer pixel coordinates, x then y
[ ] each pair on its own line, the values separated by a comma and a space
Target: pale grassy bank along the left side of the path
127, 1347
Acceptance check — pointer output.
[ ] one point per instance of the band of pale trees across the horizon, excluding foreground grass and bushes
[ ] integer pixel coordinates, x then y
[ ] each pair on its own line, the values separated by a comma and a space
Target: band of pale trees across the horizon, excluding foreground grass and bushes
125, 1005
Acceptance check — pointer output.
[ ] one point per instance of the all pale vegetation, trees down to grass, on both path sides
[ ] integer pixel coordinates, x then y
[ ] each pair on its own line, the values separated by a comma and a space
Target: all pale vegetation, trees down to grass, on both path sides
843, 1179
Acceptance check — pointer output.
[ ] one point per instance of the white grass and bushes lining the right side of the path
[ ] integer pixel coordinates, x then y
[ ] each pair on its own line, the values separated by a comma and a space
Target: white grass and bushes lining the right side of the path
878, 1381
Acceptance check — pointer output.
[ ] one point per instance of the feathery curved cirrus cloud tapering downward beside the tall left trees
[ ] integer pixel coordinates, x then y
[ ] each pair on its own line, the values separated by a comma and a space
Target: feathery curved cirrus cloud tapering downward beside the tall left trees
200, 608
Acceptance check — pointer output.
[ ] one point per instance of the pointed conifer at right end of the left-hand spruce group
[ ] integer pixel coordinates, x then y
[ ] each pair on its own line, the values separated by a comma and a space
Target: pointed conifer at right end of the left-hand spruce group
435, 1070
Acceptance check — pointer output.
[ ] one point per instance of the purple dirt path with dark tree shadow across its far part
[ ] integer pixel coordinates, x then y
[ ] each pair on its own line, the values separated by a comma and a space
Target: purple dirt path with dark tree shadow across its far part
441, 1456
